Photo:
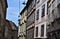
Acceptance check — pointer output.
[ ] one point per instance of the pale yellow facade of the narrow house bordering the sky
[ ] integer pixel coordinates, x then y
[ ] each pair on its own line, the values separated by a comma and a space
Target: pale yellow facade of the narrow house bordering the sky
23, 26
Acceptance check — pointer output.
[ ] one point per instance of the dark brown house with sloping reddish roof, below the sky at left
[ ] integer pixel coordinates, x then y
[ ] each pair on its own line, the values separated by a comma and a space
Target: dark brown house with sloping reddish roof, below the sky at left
11, 30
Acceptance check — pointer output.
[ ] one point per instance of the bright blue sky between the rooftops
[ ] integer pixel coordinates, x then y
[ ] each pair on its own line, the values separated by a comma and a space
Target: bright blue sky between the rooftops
13, 10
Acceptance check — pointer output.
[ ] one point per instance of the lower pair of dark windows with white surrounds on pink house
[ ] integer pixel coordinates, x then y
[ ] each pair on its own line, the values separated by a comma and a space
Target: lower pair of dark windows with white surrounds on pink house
40, 31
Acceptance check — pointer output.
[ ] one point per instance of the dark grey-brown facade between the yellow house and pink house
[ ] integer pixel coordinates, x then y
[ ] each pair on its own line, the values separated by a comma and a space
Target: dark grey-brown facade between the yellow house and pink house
30, 19
